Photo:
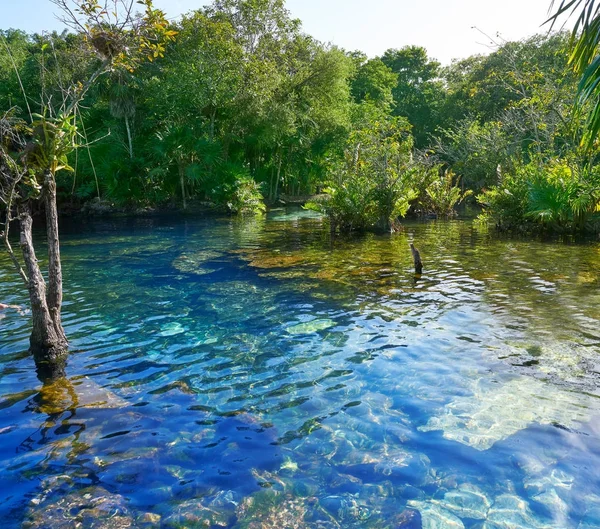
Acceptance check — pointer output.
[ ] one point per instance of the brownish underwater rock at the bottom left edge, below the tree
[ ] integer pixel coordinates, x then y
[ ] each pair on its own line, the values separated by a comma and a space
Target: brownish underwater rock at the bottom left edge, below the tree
92, 507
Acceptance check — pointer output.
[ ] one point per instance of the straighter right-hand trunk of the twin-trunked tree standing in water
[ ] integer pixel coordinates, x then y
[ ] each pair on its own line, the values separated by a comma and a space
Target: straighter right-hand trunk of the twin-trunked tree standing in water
54, 297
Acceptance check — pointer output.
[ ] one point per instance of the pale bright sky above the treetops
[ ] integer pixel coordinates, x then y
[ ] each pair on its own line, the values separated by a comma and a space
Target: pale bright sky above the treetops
444, 27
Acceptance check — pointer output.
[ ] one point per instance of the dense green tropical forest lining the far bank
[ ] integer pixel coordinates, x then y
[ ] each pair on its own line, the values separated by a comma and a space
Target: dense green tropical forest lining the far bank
239, 108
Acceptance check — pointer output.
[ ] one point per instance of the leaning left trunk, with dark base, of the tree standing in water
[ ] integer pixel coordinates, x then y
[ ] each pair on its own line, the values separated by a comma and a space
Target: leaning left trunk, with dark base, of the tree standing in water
49, 349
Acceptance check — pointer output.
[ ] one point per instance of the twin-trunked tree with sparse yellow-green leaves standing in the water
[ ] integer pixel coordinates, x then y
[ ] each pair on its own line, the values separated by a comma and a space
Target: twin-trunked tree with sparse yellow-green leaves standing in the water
31, 153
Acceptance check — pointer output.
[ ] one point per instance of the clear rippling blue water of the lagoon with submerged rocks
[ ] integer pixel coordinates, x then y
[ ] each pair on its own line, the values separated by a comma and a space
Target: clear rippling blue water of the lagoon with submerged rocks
256, 374
